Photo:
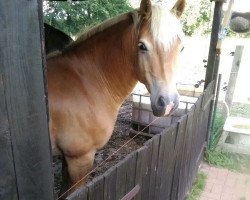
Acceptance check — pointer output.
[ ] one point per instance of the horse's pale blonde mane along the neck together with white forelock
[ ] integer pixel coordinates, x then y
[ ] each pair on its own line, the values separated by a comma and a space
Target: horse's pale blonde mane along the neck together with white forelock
165, 27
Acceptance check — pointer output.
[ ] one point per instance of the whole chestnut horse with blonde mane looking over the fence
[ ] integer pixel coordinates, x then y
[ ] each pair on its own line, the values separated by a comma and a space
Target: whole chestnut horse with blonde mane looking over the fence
89, 80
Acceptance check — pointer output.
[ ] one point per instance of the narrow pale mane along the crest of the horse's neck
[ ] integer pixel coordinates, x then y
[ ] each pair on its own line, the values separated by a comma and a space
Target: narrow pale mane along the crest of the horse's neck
101, 27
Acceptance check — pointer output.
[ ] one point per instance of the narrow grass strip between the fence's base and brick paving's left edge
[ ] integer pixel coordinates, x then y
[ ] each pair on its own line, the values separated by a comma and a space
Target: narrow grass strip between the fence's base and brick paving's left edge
197, 187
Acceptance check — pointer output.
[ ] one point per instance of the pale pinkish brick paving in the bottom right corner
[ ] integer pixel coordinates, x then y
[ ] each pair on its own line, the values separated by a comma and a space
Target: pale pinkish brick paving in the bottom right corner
223, 184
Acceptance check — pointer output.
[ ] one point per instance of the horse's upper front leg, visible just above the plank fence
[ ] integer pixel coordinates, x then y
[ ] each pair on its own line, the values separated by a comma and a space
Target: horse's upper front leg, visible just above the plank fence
78, 168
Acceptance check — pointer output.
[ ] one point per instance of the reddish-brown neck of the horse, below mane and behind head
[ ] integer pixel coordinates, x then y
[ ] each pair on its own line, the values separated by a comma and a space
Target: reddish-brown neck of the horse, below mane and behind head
110, 57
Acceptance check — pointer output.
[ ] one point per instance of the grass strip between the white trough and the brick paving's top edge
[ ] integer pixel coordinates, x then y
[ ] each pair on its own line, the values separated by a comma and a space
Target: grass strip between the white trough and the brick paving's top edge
232, 161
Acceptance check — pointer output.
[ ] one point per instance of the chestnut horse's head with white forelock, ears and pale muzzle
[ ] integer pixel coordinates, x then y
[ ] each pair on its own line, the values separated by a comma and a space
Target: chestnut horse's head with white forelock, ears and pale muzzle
159, 43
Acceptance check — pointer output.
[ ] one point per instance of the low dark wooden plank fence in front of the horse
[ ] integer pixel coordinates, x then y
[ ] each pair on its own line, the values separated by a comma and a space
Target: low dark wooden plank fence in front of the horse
164, 168
